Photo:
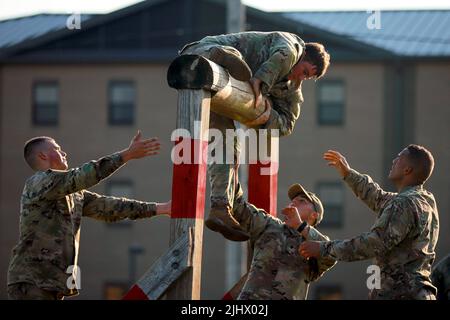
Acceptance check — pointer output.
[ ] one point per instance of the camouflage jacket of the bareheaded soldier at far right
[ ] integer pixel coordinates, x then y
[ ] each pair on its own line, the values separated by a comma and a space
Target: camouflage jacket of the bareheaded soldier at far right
402, 240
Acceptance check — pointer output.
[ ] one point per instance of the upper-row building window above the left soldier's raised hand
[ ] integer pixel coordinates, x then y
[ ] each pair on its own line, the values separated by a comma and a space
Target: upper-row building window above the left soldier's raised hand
122, 100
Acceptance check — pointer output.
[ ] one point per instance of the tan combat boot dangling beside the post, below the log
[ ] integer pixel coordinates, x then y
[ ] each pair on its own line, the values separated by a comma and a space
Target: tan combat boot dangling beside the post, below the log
220, 220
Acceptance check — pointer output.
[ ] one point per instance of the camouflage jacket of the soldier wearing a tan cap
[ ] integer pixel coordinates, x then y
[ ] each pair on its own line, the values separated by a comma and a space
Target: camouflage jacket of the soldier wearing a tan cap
277, 271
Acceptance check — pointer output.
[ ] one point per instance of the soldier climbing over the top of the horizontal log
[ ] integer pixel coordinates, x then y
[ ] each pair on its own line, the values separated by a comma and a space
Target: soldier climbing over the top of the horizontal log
279, 62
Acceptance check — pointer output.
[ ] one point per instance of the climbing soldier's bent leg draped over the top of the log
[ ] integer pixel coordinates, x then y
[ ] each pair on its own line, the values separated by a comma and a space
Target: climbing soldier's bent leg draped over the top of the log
228, 57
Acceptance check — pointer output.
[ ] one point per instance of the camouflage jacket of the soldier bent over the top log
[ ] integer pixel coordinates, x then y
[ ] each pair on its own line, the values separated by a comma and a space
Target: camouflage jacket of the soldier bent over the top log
270, 56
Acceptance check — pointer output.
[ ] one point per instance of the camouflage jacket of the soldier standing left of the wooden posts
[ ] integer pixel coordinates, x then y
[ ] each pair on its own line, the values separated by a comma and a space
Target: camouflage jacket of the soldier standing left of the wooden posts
51, 208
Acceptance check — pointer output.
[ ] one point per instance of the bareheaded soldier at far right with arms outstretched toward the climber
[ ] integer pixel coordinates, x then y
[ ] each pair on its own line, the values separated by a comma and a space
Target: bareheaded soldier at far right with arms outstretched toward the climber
403, 238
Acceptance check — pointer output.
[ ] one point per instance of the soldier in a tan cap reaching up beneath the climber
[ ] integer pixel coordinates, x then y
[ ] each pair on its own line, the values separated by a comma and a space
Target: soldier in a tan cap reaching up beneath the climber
277, 270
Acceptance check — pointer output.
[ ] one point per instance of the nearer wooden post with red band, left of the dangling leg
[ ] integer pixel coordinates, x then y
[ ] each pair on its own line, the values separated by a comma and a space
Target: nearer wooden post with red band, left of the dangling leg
189, 185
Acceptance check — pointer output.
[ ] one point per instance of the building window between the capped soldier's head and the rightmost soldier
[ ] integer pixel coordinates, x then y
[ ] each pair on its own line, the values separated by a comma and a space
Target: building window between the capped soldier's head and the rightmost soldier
332, 196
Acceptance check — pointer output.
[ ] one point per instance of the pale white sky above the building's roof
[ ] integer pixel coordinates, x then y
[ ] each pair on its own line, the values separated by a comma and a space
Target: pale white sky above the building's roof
17, 8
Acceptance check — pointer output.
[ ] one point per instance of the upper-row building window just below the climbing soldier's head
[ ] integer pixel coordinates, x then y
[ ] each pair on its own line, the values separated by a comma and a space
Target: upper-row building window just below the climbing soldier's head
331, 102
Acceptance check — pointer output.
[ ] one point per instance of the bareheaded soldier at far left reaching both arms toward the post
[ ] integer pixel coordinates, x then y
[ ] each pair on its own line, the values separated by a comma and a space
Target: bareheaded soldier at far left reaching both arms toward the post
52, 204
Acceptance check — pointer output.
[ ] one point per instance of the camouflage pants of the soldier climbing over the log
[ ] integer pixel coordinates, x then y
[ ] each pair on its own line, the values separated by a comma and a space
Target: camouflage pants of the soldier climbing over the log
223, 176
